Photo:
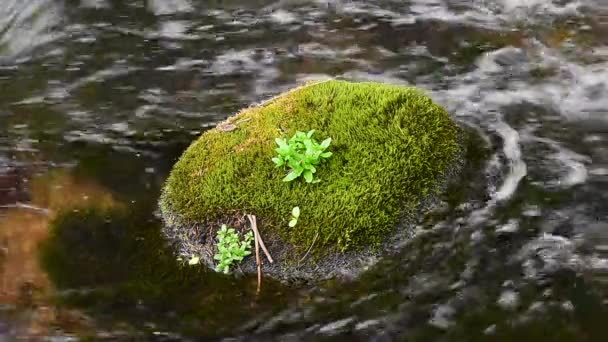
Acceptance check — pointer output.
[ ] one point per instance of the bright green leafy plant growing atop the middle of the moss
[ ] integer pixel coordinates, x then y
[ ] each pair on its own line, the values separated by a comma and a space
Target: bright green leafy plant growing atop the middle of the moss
302, 154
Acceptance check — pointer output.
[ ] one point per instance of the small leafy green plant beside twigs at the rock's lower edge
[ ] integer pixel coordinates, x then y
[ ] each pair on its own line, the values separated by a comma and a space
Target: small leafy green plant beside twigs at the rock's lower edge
230, 248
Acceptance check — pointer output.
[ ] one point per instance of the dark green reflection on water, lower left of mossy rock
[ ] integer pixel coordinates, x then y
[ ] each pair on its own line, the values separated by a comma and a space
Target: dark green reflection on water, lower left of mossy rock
125, 274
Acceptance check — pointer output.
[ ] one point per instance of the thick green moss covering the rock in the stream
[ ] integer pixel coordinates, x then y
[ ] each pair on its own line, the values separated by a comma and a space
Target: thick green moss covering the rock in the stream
390, 147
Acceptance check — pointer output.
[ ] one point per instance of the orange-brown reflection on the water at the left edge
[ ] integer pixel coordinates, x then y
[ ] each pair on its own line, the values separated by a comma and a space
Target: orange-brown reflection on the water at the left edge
25, 287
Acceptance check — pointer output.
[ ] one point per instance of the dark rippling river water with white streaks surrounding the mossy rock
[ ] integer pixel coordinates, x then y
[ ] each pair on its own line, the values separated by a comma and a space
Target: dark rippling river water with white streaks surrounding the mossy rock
98, 98
